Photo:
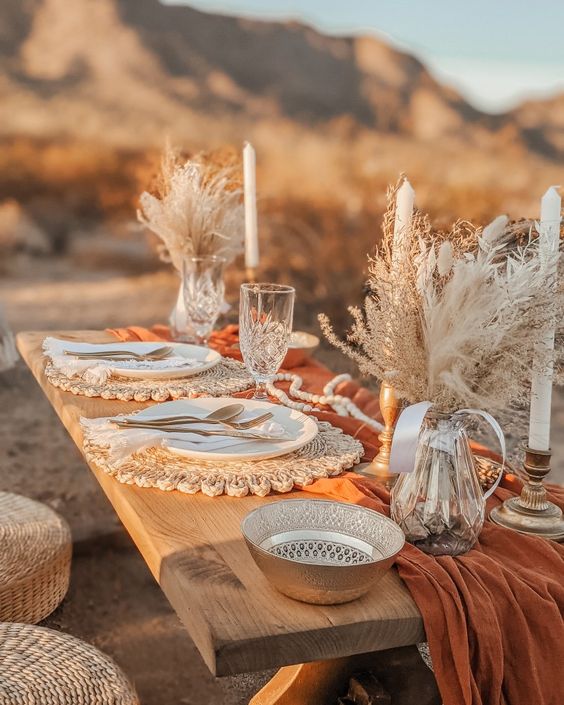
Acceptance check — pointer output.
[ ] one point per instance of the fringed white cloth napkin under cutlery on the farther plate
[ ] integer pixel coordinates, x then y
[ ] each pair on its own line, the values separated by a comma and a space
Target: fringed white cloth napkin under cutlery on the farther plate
98, 371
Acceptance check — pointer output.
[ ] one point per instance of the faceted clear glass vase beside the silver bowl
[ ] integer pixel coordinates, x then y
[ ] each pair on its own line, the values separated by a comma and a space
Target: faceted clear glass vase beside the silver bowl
440, 505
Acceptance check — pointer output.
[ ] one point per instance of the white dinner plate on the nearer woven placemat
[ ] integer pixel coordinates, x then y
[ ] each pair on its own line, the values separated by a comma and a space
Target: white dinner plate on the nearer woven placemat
301, 428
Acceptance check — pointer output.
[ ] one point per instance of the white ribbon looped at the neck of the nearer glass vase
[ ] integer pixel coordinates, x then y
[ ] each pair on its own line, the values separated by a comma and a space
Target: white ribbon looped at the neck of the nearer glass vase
406, 438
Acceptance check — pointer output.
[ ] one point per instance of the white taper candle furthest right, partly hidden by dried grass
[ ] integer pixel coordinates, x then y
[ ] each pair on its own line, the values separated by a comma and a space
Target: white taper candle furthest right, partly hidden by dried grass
541, 385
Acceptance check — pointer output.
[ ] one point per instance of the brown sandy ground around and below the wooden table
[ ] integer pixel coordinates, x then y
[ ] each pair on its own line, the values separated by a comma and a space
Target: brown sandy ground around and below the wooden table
113, 601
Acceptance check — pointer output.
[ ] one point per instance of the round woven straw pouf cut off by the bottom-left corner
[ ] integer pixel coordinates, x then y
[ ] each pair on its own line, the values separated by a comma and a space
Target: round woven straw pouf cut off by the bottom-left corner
39, 666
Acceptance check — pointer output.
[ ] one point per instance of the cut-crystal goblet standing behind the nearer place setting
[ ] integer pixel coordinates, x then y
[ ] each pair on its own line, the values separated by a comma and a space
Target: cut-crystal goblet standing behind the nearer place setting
265, 325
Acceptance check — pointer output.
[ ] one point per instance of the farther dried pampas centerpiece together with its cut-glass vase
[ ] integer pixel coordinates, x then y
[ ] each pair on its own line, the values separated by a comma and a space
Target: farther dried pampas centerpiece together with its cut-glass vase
196, 209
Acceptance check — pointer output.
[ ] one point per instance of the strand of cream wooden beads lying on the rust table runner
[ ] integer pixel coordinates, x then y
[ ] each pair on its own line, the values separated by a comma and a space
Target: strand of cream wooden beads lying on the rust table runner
340, 404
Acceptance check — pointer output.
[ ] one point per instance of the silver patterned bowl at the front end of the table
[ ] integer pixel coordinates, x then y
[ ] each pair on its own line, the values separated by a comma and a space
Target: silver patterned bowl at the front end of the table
320, 551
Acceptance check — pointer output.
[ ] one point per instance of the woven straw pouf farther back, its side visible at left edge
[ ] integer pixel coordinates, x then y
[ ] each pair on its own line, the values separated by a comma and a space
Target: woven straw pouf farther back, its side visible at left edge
35, 558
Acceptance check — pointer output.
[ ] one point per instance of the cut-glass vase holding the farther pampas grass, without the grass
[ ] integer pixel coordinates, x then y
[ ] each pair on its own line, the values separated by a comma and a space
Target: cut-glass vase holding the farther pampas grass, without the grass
204, 292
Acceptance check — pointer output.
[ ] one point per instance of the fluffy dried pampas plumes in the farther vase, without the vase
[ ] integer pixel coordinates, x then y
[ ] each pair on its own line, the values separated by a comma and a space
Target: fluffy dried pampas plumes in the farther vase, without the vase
196, 208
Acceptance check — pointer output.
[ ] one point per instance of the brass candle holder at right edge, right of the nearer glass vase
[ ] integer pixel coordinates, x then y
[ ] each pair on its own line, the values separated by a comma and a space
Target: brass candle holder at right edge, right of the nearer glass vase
531, 513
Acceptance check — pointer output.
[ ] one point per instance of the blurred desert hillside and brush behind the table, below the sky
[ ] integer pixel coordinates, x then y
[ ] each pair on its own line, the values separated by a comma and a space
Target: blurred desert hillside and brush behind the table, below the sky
90, 90
